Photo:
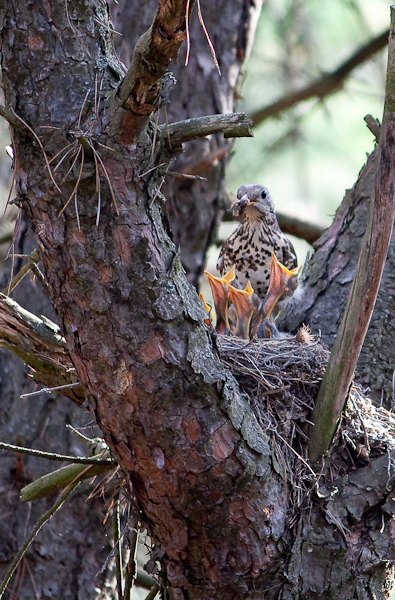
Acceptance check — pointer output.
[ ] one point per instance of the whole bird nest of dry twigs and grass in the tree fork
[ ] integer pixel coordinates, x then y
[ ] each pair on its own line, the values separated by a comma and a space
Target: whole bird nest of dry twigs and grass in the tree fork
281, 377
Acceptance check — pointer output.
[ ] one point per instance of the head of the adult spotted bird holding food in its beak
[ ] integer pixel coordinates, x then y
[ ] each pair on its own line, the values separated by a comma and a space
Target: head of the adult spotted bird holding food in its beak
254, 202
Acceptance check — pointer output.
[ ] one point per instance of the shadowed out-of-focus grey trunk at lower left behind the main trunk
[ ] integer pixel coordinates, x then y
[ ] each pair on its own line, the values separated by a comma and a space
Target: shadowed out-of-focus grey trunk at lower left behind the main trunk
75, 541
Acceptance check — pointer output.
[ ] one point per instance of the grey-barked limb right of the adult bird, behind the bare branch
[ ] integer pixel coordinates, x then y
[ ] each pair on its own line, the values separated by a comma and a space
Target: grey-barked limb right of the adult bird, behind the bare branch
328, 282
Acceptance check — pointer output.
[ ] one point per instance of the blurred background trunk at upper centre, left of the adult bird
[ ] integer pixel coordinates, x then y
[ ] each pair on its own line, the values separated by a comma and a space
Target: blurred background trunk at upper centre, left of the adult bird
195, 208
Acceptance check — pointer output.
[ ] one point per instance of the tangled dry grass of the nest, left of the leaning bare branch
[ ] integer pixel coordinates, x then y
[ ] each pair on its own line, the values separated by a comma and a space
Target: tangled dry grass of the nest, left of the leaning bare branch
280, 376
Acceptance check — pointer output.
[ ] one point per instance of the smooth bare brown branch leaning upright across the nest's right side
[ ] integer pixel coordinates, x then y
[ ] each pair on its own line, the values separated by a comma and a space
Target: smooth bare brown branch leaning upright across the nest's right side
346, 349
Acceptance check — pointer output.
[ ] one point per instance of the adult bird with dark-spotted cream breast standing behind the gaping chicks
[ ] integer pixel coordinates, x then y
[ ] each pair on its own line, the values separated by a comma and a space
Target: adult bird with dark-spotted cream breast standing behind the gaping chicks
250, 246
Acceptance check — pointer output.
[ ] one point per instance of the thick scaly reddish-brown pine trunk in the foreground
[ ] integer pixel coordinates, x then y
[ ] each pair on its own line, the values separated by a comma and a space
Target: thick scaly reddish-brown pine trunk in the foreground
205, 475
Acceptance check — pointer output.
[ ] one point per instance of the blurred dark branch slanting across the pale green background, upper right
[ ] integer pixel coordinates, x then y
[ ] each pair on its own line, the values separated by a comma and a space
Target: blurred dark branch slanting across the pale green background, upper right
328, 84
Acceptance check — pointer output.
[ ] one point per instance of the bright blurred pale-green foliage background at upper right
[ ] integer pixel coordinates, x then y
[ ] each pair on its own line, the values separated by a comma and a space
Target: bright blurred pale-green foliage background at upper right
313, 152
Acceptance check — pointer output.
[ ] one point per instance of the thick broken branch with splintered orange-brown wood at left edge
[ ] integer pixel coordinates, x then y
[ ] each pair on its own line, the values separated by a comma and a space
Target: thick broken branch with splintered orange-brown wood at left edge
39, 344
